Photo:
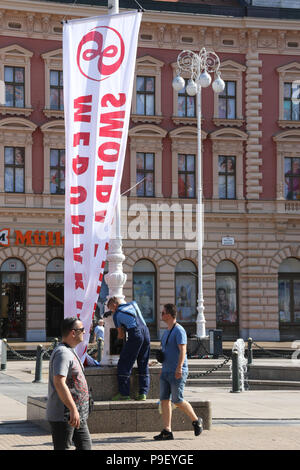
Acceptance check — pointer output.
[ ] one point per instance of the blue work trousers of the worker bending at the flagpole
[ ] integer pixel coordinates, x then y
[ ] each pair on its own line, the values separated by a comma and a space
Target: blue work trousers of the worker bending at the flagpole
136, 348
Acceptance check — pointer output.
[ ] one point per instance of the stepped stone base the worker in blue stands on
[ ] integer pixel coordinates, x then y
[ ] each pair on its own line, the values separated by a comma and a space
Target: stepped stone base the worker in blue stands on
122, 416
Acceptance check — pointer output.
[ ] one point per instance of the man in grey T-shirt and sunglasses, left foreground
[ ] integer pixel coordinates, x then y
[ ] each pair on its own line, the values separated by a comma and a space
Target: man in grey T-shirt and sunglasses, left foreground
68, 394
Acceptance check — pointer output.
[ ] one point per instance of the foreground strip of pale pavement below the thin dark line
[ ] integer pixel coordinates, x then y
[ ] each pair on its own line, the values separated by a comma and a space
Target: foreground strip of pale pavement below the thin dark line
20, 436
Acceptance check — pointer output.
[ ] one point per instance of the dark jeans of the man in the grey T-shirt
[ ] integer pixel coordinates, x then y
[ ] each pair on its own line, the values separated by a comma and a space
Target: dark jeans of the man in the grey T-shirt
63, 434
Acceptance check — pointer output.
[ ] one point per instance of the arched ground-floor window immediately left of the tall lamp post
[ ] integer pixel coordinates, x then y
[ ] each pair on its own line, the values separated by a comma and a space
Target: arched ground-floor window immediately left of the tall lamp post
186, 291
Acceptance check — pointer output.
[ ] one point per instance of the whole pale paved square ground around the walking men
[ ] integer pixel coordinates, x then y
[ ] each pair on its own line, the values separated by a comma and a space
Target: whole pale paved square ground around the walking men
253, 420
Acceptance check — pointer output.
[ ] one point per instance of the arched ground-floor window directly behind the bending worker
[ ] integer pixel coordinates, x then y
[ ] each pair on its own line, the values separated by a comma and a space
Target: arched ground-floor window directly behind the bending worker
144, 290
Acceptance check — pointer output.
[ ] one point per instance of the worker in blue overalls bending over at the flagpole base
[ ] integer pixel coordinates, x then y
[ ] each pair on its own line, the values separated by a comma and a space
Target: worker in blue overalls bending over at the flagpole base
128, 318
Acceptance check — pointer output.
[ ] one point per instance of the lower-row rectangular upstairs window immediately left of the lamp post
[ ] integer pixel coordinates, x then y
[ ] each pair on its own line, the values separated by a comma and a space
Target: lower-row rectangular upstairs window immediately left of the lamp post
186, 176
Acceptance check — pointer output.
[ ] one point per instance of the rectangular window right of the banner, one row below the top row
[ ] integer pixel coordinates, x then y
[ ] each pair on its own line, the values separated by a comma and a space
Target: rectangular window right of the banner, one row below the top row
145, 174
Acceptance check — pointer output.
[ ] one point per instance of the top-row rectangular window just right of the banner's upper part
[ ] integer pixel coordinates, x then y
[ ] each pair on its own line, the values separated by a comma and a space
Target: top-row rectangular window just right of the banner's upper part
145, 95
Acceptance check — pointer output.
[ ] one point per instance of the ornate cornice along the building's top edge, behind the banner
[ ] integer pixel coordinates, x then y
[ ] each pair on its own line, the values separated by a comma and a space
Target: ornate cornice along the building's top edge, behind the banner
162, 29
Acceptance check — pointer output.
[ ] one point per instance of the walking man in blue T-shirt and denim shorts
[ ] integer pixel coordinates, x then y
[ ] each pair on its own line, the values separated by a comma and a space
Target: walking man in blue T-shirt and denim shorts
174, 374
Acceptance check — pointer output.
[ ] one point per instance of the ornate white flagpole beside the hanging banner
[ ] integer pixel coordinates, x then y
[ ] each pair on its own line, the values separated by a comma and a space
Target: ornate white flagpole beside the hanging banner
115, 278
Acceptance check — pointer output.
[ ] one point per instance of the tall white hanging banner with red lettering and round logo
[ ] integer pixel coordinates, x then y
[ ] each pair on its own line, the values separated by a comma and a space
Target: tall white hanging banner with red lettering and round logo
98, 65
